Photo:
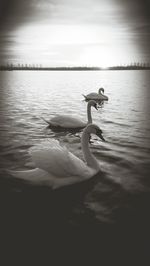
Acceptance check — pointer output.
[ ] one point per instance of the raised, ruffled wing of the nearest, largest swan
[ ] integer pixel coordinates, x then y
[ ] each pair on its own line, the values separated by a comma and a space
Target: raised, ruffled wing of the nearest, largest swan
57, 160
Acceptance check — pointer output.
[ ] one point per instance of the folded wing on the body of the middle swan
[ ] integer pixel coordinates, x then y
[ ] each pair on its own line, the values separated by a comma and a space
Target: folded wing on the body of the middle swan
67, 121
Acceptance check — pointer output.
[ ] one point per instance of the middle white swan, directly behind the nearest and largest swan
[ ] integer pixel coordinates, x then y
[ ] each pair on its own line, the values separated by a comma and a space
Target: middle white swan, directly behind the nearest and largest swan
71, 122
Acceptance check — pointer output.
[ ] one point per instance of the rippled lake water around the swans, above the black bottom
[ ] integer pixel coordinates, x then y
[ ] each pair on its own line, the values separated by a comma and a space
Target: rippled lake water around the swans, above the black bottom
122, 191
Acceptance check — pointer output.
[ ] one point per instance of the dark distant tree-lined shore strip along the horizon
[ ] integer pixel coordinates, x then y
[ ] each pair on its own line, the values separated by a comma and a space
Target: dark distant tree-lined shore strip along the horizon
5, 68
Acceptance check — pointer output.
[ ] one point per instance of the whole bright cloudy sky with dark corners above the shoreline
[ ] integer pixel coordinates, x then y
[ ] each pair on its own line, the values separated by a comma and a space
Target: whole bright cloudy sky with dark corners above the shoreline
74, 33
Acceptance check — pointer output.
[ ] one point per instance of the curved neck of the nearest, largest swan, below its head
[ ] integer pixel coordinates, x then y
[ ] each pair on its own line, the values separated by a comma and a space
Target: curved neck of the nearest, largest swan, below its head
89, 158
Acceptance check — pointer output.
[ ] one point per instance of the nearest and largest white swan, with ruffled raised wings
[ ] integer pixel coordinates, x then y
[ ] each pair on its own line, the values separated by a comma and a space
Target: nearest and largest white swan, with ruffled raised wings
57, 167
